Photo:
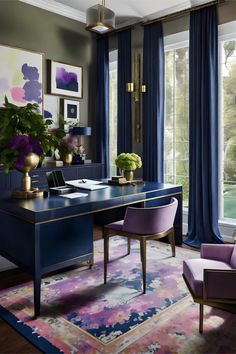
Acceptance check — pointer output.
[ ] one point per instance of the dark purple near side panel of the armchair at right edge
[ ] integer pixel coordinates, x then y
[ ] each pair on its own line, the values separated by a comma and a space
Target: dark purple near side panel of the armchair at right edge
219, 284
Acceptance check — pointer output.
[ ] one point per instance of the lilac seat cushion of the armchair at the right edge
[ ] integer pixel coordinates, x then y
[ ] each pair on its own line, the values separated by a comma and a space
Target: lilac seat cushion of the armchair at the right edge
193, 270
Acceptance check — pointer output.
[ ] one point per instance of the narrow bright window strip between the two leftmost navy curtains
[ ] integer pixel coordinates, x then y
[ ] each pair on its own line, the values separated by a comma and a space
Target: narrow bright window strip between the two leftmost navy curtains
113, 111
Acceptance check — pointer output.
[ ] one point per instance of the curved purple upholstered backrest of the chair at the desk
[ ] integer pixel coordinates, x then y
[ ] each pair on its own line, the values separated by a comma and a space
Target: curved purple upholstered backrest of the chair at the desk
146, 221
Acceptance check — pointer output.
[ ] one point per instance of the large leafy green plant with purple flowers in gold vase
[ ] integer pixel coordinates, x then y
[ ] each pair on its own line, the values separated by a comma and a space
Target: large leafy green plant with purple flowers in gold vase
25, 139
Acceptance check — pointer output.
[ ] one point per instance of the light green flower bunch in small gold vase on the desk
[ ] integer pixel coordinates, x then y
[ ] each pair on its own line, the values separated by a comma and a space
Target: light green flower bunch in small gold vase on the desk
128, 162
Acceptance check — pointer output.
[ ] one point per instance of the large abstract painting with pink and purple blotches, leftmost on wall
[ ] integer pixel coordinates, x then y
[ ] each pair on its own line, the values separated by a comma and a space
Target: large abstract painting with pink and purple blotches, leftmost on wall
21, 76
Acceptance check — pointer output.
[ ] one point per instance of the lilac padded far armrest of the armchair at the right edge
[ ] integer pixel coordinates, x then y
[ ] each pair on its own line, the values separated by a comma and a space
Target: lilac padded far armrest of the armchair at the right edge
221, 253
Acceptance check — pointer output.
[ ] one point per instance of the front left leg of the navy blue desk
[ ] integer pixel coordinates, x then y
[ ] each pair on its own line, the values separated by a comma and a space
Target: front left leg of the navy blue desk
37, 272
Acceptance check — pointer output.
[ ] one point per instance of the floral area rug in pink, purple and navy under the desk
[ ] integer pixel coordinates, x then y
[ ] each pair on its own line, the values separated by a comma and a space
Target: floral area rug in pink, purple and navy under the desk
79, 314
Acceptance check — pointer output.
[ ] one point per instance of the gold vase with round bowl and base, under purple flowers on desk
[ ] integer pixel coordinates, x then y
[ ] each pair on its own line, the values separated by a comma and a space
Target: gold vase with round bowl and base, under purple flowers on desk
26, 192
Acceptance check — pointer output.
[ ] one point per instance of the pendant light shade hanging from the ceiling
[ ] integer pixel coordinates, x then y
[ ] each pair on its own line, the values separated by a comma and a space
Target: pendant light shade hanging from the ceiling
100, 19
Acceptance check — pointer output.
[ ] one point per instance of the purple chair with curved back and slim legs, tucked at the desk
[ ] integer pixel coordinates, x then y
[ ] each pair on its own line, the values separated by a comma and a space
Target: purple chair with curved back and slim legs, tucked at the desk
142, 224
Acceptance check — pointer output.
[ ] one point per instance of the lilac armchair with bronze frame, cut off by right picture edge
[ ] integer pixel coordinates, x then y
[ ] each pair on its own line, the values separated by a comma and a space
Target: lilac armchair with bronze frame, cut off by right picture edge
211, 279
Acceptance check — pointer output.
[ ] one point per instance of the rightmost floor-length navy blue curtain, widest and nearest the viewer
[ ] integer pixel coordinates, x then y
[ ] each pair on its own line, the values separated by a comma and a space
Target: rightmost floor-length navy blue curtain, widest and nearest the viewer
203, 128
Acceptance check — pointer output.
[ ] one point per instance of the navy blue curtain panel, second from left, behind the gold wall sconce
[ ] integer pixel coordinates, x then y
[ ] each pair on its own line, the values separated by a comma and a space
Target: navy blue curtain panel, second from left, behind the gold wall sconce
124, 141
